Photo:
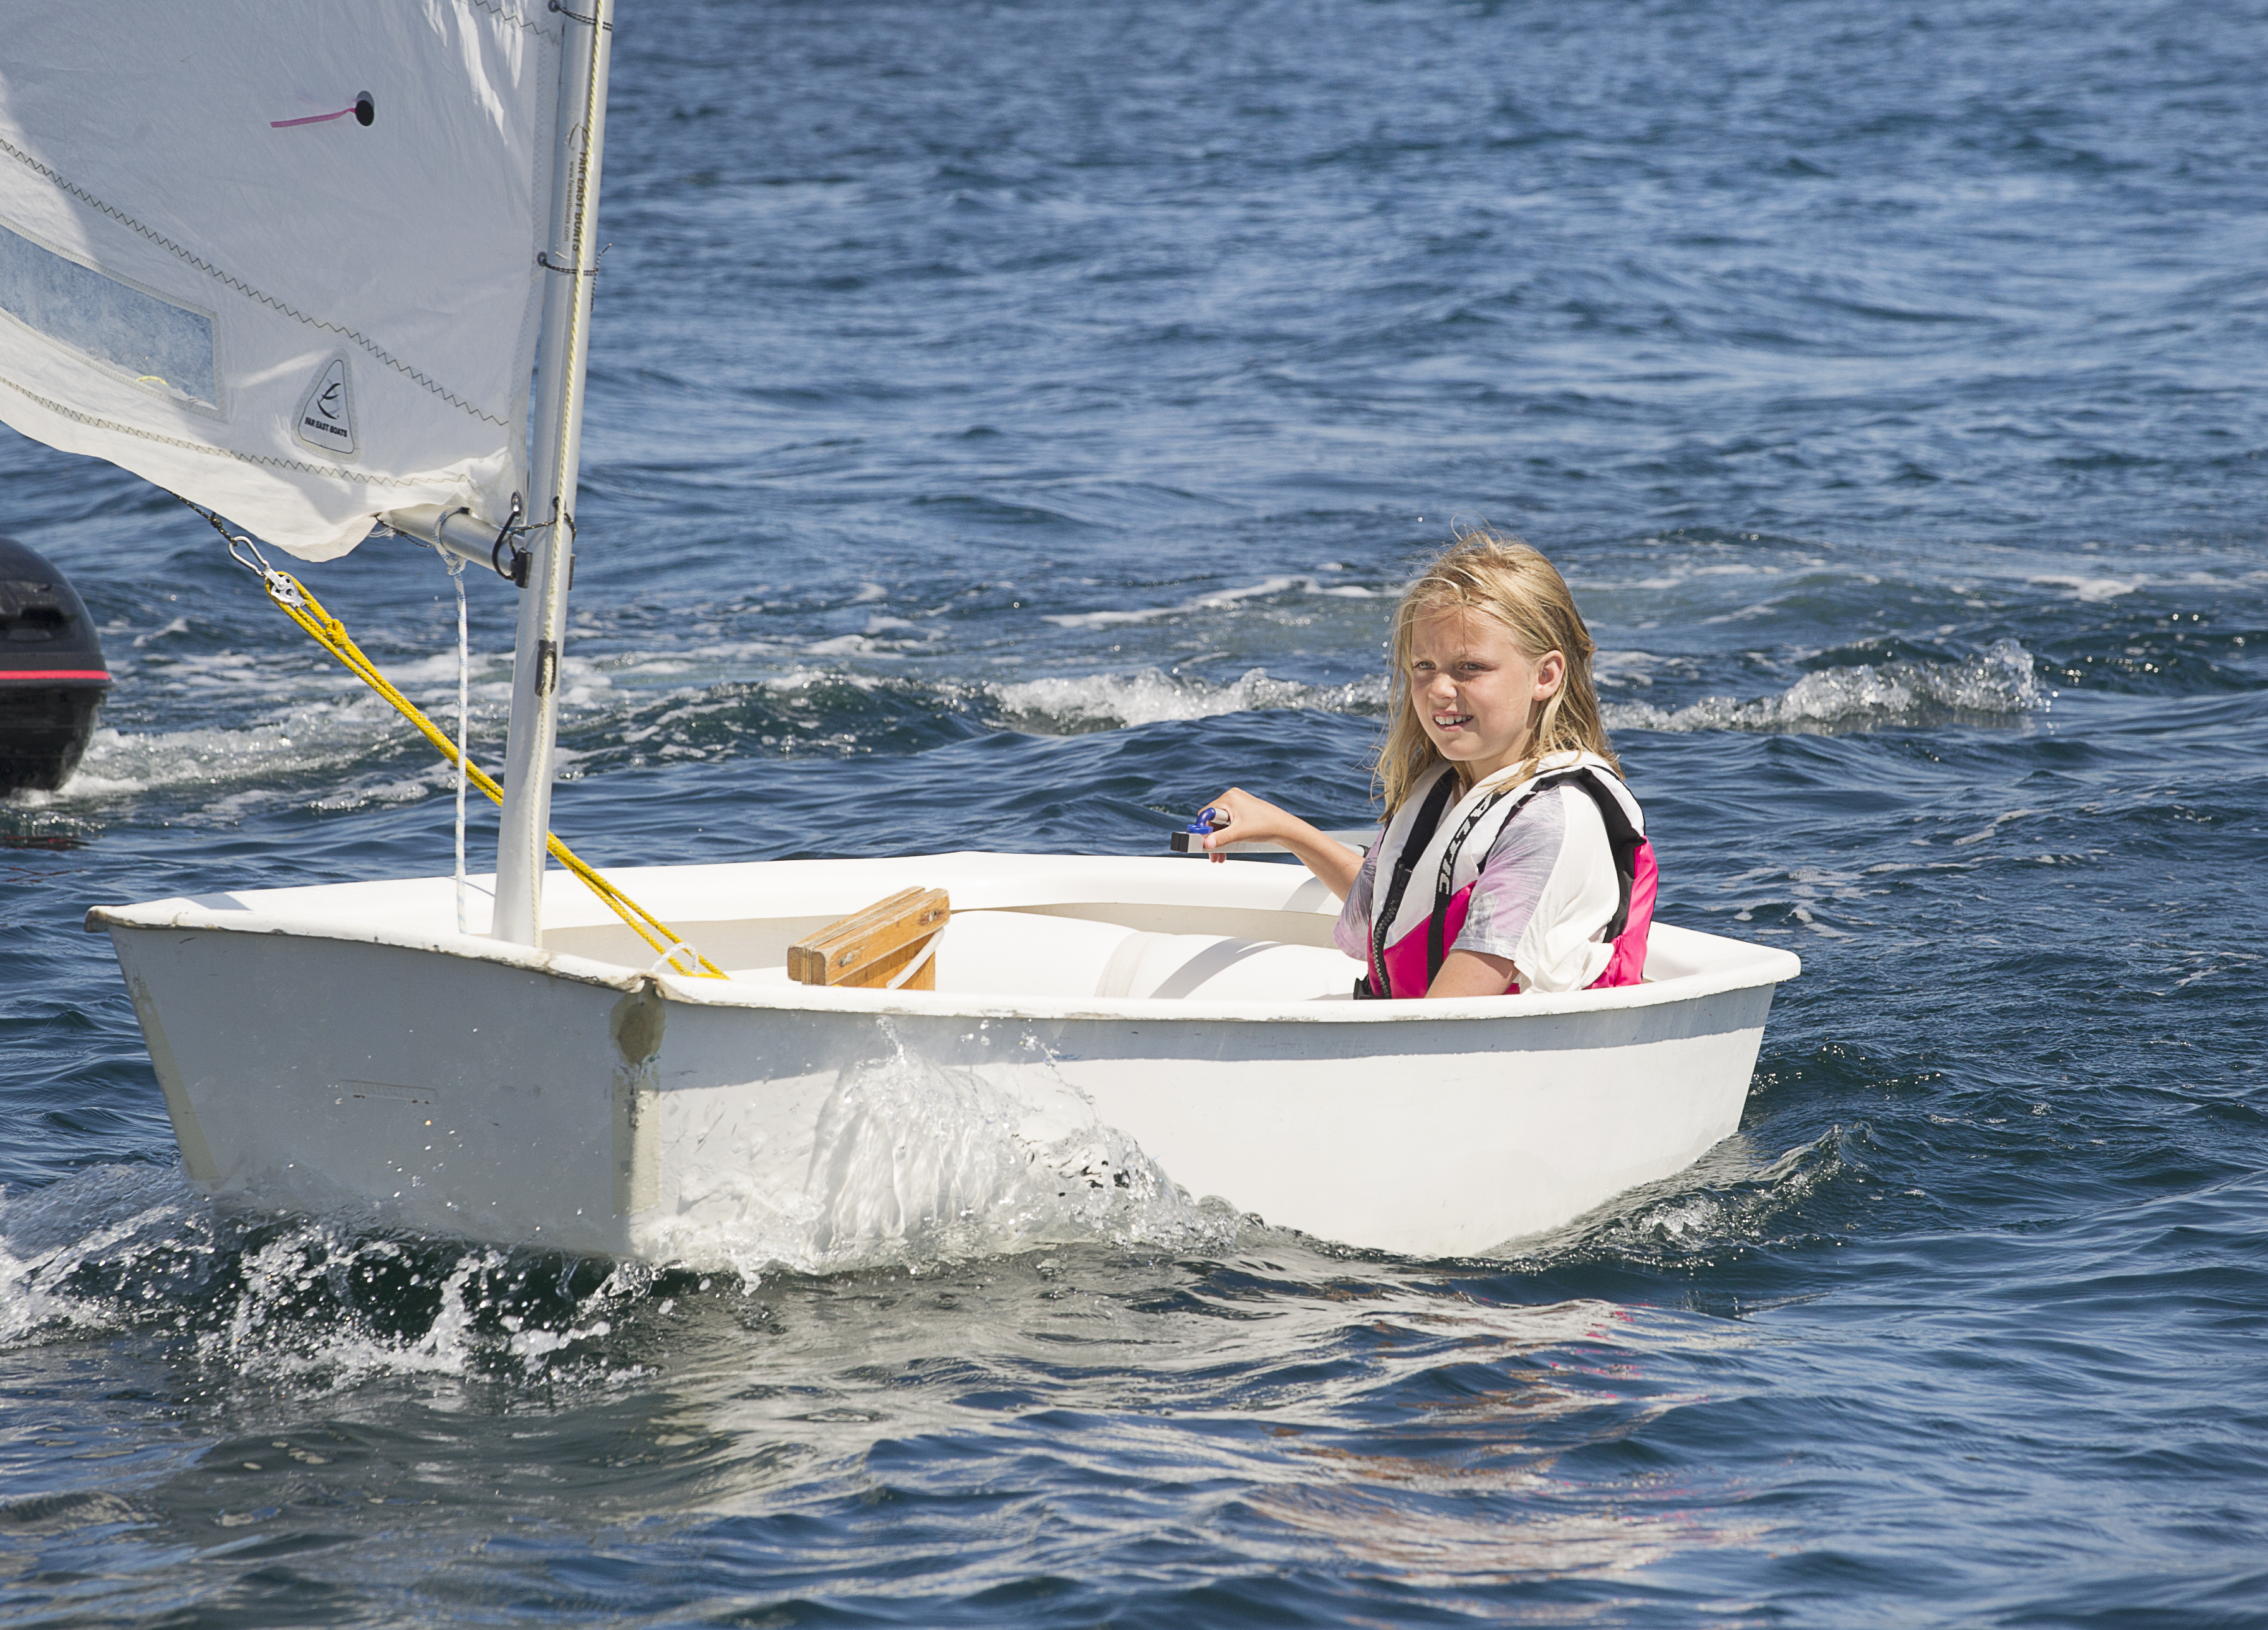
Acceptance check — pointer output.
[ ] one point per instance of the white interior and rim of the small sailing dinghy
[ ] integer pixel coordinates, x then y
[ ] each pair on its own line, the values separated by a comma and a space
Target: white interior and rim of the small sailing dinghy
1035, 933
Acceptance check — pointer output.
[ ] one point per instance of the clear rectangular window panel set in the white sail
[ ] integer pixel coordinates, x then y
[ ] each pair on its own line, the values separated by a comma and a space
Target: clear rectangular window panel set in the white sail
158, 343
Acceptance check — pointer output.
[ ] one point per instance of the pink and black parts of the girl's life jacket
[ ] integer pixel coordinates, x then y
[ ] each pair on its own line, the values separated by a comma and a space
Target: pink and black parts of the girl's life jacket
1412, 962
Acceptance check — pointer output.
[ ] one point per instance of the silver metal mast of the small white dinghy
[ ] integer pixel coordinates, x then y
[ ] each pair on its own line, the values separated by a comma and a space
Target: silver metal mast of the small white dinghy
570, 264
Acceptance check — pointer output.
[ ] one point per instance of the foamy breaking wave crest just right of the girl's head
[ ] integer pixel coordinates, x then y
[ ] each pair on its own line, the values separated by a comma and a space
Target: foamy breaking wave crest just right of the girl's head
1997, 684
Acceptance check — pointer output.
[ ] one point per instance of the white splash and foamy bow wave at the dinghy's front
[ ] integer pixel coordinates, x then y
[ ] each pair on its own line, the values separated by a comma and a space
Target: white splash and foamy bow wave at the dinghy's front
917, 1169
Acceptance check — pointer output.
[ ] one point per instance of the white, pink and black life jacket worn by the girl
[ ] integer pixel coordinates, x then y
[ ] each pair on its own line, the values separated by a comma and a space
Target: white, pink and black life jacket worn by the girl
1410, 935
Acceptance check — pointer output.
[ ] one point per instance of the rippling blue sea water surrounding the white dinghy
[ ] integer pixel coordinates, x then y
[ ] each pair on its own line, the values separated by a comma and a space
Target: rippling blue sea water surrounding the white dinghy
1010, 423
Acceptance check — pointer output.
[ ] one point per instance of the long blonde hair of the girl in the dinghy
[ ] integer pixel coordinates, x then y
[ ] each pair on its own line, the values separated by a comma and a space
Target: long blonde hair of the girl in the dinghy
1525, 595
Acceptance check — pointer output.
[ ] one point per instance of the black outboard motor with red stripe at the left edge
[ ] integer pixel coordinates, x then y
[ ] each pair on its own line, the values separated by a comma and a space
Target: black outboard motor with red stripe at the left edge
51, 672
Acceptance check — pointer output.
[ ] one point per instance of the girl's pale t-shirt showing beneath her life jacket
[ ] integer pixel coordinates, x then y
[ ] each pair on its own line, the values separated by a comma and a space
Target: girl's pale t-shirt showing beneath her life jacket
1543, 899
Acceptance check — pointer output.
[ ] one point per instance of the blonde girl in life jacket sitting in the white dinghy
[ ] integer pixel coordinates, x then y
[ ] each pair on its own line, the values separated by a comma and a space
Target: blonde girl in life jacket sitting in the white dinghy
1514, 858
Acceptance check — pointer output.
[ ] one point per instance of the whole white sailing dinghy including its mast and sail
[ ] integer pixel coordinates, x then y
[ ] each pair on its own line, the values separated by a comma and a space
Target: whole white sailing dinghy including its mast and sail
373, 226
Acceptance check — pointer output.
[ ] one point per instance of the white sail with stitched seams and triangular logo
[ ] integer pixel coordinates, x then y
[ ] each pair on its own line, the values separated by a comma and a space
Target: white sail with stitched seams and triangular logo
280, 255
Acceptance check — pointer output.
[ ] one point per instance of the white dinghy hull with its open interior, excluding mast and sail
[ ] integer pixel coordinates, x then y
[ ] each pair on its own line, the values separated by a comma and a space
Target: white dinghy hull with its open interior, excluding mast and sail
346, 1049
